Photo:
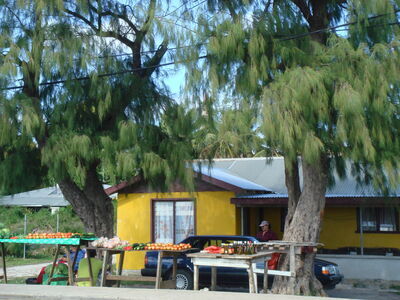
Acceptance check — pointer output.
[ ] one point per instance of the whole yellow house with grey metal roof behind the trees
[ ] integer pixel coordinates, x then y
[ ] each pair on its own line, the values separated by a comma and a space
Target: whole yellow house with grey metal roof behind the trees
235, 195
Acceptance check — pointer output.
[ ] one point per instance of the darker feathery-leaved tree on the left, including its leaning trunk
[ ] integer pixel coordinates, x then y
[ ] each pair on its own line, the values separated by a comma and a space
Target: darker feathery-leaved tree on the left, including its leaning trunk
81, 102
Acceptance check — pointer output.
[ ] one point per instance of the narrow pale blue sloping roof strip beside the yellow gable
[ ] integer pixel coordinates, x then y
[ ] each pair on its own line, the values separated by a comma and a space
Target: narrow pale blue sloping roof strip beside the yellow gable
229, 177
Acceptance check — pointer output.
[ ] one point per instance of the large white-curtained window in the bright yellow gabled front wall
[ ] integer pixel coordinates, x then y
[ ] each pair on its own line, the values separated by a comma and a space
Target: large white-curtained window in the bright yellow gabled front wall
173, 220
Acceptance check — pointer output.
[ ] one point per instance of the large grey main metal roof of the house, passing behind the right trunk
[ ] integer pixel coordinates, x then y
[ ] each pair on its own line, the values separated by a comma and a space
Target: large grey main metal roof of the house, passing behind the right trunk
270, 173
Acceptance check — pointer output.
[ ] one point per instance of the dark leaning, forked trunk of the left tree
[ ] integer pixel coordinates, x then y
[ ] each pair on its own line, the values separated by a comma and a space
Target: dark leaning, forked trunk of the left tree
91, 204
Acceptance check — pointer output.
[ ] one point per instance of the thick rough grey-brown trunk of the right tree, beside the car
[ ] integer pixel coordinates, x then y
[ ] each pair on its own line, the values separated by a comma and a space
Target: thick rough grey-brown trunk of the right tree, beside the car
304, 226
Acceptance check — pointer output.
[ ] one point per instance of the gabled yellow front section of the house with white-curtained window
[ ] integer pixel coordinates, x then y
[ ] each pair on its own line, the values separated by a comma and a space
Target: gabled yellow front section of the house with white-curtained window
145, 215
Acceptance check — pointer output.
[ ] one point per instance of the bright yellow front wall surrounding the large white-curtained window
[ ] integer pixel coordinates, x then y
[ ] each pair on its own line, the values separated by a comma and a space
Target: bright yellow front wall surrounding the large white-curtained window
214, 215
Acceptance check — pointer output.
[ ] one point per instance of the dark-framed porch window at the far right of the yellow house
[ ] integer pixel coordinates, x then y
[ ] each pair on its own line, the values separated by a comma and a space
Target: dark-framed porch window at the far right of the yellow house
378, 219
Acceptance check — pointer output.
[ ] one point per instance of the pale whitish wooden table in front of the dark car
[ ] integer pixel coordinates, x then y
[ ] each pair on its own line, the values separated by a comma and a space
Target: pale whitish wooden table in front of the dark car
245, 261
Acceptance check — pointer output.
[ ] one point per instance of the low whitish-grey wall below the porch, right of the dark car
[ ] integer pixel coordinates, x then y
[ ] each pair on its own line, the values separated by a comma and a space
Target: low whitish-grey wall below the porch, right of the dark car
366, 266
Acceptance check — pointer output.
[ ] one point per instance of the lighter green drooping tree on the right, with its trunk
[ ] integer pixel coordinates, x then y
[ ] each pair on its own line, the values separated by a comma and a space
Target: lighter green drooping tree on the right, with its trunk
326, 75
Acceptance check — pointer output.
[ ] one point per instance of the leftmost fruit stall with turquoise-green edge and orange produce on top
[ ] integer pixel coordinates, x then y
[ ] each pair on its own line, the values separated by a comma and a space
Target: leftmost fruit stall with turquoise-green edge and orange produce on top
59, 239
